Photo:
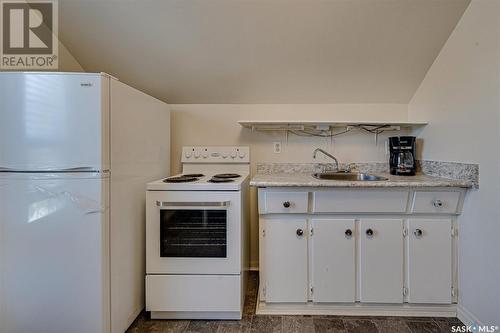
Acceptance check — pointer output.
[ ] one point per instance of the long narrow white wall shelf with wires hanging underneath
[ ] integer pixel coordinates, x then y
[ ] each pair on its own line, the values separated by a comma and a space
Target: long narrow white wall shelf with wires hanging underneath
328, 129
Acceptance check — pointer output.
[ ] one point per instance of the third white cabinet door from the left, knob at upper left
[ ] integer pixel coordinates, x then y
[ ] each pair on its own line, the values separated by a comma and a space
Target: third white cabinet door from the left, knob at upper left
381, 260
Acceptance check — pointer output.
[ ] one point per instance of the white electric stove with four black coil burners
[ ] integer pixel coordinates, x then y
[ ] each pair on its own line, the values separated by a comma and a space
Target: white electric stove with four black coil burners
197, 236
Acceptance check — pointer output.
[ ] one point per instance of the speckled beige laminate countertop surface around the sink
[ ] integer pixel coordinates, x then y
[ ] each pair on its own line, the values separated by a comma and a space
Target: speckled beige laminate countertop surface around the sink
307, 180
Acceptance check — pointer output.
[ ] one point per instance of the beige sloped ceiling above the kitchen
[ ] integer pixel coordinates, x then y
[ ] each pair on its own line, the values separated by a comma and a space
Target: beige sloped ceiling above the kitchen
262, 51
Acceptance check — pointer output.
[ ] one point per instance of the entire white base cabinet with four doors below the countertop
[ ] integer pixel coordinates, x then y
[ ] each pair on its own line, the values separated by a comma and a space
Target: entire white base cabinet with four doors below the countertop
398, 257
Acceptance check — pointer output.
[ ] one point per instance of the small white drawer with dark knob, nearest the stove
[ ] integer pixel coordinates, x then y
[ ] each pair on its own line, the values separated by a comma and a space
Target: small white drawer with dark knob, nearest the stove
285, 202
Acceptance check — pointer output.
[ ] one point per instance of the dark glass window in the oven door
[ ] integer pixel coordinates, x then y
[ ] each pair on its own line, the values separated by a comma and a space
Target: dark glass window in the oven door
192, 233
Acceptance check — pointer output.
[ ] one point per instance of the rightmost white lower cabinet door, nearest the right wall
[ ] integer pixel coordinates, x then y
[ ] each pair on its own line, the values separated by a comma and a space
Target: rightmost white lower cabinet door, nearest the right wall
429, 261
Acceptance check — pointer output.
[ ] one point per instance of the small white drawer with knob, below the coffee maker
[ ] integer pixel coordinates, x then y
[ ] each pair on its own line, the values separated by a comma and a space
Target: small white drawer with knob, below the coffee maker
435, 202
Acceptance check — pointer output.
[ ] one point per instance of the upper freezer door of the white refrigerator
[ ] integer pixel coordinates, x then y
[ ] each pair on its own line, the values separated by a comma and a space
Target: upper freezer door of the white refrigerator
54, 121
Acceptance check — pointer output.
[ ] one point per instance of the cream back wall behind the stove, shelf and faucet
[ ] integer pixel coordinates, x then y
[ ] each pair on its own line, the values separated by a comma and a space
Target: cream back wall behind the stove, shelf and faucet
216, 124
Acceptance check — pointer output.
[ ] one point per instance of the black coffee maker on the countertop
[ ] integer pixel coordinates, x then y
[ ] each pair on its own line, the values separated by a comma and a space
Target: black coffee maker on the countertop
402, 155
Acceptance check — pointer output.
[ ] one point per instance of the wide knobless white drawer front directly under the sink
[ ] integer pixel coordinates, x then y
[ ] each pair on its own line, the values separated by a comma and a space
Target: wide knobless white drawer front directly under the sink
360, 201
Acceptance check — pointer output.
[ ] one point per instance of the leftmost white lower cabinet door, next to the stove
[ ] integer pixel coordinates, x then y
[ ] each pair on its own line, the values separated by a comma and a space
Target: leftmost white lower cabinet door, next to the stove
285, 255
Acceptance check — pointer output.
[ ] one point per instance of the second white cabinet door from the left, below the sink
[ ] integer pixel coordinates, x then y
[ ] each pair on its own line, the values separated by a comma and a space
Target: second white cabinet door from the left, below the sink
333, 258
